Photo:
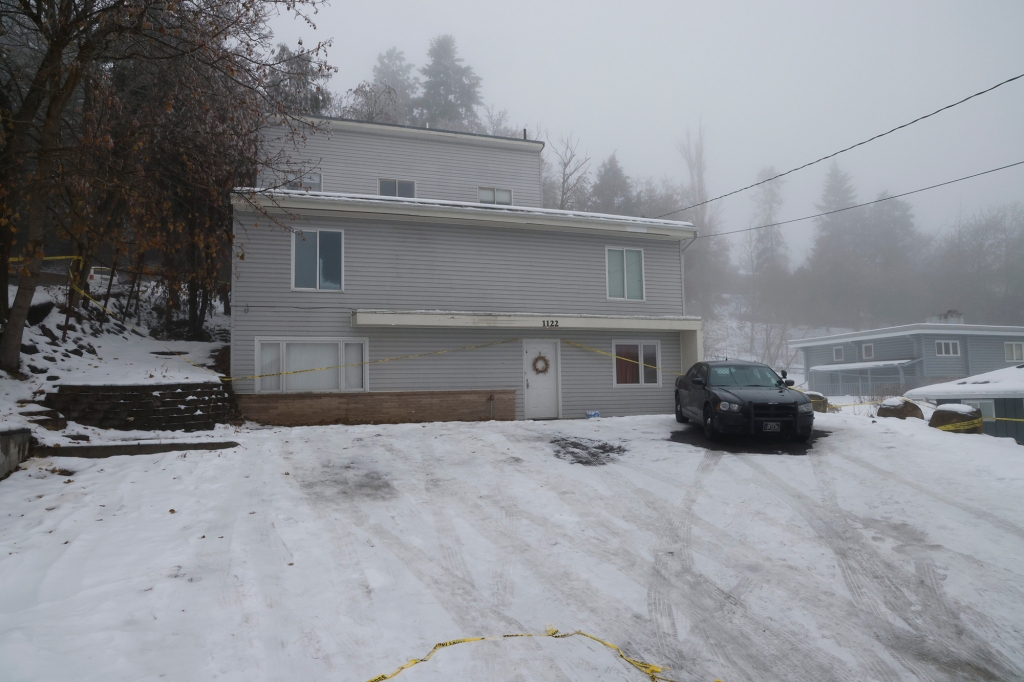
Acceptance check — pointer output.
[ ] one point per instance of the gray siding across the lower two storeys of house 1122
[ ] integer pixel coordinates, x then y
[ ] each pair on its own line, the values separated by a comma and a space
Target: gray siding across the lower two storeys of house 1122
432, 267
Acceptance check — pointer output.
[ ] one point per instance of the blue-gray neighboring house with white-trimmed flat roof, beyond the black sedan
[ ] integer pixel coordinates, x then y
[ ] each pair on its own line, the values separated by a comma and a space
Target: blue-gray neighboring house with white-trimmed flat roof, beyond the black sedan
894, 360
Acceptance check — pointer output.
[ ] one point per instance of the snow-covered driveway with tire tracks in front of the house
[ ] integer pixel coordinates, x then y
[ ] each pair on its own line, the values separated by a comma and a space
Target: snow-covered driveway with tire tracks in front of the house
886, 551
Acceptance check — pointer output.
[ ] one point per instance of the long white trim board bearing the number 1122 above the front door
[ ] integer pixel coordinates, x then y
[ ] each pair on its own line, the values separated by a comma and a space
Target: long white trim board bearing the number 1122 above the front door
536, 321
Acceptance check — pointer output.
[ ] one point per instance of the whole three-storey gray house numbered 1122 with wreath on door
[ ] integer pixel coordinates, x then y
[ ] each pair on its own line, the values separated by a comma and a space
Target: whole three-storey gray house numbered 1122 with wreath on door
424, 243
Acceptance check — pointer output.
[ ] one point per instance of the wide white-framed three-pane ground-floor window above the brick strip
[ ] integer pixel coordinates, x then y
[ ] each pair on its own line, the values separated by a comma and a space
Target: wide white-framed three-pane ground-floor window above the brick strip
337, 365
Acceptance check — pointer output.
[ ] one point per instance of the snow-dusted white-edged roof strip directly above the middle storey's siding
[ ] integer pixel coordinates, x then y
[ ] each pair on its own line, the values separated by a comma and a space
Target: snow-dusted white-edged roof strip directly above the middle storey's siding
450, 211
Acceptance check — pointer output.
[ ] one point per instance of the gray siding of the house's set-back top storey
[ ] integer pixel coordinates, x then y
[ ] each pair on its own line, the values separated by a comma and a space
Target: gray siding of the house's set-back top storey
450, 168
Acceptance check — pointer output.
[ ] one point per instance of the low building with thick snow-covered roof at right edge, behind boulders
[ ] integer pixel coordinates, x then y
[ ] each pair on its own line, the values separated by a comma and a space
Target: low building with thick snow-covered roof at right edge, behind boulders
999, 395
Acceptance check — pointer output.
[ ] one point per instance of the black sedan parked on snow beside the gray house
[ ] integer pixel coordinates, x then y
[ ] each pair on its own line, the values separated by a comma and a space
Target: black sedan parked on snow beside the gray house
732, 397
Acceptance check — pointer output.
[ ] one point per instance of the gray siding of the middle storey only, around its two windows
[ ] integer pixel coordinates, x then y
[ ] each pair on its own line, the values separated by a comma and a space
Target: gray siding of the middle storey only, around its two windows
431, 267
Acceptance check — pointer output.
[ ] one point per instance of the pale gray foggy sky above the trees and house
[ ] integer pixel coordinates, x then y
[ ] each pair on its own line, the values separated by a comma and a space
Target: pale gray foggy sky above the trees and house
779, 86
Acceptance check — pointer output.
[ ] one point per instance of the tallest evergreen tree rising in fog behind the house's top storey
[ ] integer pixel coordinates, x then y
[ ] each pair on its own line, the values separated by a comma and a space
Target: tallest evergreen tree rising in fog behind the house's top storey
451, 90
